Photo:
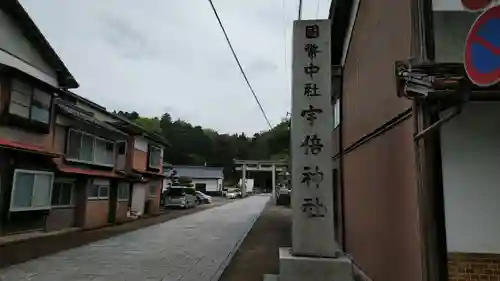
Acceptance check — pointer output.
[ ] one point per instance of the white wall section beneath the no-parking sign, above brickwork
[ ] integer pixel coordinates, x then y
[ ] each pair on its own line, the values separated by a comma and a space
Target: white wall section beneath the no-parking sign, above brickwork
471, 178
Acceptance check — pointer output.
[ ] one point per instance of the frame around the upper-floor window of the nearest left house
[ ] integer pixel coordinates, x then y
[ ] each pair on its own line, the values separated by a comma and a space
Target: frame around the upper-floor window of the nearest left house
32, 92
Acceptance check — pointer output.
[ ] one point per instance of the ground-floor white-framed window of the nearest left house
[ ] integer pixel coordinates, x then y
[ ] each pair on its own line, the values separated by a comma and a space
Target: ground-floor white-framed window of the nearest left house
31, 190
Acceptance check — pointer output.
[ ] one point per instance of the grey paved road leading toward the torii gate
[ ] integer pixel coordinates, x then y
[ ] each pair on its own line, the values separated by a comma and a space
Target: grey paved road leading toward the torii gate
194, 247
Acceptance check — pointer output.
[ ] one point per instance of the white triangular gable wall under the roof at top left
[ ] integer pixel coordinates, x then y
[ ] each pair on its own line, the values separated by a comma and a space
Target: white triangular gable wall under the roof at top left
16, 51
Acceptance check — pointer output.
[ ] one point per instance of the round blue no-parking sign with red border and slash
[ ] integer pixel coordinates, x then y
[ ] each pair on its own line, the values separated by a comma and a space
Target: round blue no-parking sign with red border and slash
482, 49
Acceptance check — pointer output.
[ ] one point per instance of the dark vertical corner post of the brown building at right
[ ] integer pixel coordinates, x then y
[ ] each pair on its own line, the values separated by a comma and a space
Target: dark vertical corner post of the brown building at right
428, 157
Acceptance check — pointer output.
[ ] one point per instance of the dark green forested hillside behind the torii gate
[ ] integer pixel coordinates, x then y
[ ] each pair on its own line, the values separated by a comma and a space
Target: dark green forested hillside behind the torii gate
195, 145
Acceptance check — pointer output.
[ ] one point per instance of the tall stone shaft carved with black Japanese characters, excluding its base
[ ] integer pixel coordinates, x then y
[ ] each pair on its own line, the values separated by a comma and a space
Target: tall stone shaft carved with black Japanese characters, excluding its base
311, 138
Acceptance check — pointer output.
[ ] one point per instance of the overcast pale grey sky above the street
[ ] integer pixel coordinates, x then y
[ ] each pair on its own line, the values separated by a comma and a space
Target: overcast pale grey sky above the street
156, 56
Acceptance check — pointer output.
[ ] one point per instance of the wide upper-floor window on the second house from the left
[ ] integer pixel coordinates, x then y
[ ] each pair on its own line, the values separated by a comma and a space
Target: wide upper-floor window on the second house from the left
88, 148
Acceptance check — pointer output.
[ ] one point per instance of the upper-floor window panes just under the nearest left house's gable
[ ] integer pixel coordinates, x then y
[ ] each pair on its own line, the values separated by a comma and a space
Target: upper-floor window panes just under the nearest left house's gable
29, 103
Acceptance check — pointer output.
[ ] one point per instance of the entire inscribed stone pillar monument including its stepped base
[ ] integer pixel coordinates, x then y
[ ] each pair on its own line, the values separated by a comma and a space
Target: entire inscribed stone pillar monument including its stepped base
314, 254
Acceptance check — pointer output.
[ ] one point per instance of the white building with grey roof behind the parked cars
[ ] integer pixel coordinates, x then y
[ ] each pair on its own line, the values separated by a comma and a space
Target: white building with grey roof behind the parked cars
208, 180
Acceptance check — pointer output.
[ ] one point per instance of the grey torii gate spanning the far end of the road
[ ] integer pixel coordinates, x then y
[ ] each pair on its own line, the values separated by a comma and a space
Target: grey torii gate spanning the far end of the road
272, 166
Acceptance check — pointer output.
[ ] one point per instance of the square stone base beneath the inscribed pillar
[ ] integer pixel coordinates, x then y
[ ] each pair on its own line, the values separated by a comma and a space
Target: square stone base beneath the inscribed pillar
297, 268
